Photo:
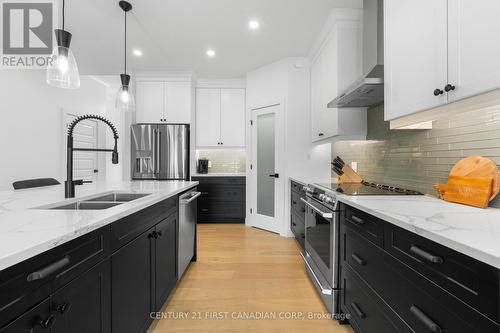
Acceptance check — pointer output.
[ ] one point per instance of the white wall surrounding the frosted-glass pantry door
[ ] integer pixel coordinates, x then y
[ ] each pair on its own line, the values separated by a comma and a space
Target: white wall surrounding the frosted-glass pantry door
288, 82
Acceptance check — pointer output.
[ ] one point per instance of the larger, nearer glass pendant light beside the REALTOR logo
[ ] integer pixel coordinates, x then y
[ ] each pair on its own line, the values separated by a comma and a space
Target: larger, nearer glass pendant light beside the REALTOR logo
62, 71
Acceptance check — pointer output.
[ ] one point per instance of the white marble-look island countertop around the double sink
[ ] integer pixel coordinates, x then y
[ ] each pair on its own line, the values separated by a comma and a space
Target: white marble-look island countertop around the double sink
26, 231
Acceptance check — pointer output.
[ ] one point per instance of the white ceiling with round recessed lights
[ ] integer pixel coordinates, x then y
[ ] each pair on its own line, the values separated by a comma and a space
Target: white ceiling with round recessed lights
174, 34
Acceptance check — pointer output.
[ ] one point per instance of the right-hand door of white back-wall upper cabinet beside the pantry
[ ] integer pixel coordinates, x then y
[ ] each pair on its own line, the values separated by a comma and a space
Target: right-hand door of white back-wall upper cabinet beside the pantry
232, 117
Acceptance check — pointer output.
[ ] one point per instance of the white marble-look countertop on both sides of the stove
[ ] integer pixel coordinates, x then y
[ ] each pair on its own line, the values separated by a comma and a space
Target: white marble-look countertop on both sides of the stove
472, 231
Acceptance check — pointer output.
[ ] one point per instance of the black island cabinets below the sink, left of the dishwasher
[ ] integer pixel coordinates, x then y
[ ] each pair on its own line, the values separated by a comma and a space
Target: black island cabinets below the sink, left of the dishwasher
109, 280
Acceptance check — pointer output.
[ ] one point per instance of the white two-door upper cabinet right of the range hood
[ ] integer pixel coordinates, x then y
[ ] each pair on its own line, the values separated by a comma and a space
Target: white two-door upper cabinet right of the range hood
437, 52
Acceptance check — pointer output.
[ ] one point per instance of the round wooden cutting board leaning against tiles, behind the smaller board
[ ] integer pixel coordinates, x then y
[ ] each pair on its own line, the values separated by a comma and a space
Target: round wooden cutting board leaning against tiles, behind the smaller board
478, 167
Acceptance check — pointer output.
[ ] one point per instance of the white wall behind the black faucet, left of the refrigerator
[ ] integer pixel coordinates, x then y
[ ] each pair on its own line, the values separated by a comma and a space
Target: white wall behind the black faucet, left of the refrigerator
32, 136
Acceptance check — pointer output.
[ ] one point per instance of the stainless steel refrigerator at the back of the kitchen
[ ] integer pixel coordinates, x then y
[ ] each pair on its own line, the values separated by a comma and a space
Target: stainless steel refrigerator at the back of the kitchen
160, 152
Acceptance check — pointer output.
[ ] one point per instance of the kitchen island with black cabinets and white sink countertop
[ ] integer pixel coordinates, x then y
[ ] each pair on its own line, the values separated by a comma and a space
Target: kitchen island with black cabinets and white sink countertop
88, 270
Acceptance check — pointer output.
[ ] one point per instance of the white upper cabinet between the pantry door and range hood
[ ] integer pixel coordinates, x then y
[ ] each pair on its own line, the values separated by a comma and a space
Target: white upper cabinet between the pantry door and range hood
336, 64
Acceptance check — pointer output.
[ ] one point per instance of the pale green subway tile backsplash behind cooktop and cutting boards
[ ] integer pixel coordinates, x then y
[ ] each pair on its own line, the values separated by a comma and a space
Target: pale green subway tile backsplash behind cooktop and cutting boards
417, 159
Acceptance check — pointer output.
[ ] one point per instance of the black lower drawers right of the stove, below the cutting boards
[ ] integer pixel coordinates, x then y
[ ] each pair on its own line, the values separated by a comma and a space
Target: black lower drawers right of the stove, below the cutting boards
395, 281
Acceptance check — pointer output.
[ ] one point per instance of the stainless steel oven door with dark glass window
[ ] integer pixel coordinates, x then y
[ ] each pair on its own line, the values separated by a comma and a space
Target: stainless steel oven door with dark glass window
320, 243
